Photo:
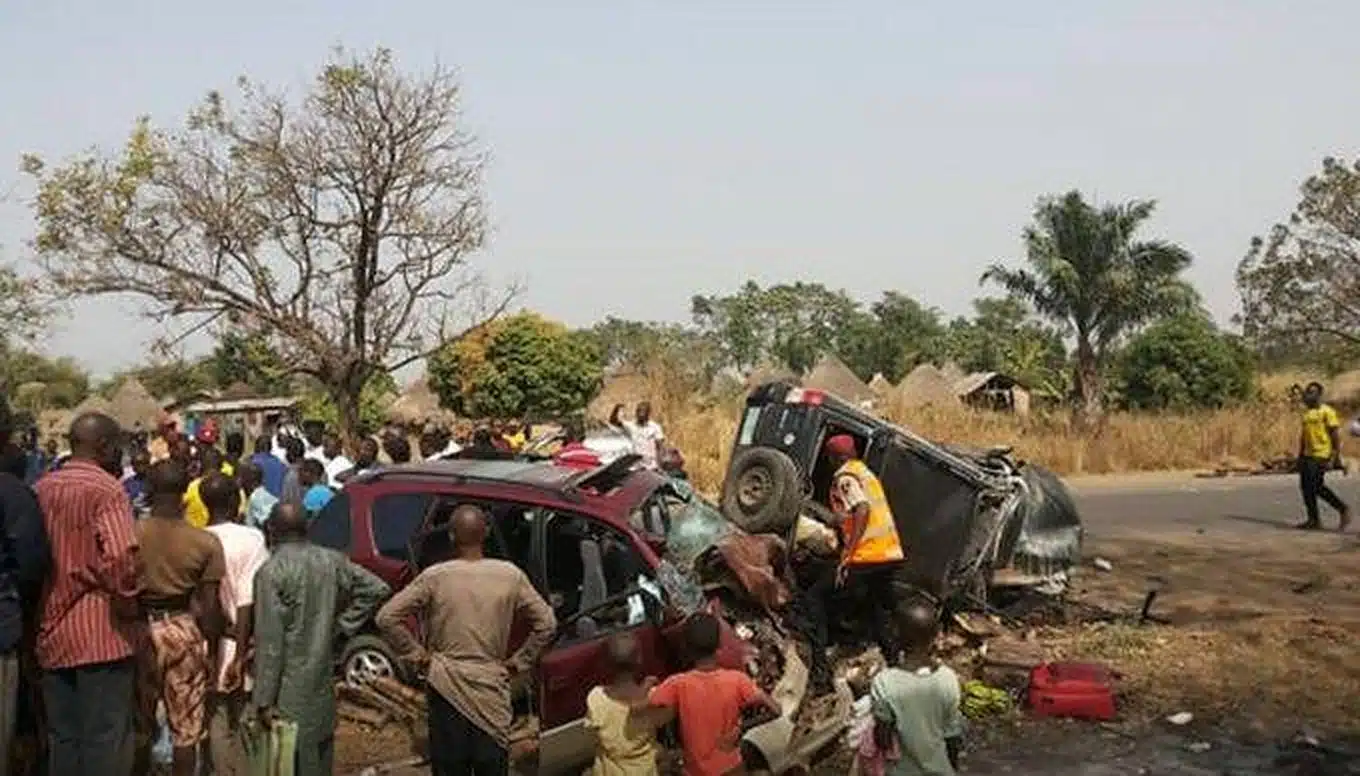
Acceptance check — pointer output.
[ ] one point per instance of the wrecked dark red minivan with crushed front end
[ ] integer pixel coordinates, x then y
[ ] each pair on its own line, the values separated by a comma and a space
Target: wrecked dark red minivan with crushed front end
591, 542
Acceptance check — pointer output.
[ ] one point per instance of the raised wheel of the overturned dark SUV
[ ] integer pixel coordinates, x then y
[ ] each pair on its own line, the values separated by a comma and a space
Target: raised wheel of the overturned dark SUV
764, 491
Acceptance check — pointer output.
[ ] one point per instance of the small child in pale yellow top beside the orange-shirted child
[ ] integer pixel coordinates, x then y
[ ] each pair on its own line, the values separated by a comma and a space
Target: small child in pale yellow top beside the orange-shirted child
625, 729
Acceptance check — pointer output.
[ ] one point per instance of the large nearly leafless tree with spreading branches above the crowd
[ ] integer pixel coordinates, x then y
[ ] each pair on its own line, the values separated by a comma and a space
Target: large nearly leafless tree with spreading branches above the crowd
338, 226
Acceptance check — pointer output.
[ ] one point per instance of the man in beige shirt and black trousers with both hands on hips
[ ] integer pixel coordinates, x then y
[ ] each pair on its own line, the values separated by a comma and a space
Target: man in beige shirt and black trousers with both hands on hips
470, 605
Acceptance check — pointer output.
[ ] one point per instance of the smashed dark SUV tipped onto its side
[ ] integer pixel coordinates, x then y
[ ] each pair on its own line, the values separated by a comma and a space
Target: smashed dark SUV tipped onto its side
972, 521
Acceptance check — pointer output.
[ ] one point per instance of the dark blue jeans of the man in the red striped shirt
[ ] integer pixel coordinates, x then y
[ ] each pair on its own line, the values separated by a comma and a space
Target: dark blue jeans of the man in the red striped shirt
90, 717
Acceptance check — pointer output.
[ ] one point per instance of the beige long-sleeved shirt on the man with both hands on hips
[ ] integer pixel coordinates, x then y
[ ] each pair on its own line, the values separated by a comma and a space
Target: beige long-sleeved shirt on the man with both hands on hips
470, 610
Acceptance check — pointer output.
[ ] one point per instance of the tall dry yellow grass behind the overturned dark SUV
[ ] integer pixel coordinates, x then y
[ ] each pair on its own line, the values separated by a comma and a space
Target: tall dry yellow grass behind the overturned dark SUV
1128, 442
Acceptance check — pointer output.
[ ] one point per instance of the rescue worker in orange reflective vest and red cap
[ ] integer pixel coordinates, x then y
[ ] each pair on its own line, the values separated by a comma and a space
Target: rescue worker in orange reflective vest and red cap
871, 557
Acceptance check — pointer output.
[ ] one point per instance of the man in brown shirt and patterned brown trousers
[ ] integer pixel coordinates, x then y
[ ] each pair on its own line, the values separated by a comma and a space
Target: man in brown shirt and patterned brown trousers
180, 571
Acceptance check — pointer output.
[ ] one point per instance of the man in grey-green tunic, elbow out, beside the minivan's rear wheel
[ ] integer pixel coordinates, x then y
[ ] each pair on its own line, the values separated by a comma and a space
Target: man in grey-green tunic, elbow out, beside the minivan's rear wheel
305, 597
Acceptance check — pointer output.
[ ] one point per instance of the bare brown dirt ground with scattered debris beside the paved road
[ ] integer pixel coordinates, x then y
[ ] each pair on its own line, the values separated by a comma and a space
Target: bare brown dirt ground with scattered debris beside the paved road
1261, 642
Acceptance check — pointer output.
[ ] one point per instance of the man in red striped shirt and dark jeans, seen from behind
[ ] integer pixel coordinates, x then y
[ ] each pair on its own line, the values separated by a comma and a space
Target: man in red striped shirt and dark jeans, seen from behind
86, 633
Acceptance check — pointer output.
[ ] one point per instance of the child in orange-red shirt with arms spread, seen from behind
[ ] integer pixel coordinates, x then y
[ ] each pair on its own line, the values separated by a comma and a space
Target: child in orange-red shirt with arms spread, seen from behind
709, 702
